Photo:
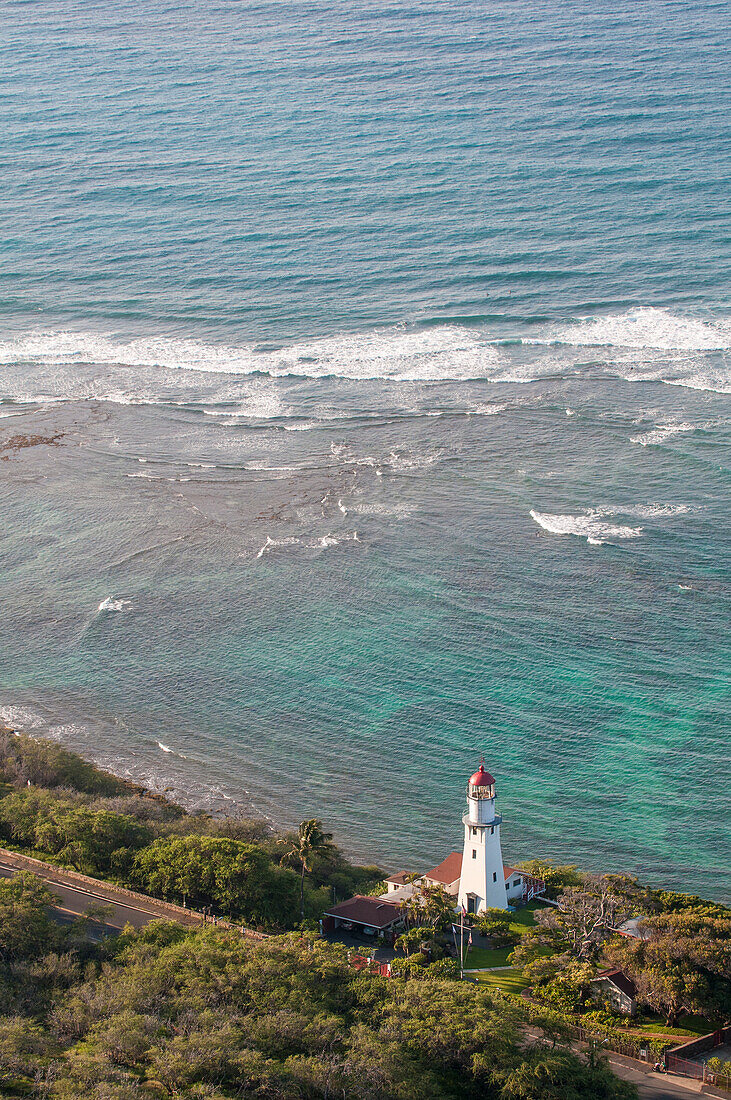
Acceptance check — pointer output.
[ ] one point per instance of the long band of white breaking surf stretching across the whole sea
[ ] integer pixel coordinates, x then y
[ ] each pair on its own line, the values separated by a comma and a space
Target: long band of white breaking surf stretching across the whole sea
644, 344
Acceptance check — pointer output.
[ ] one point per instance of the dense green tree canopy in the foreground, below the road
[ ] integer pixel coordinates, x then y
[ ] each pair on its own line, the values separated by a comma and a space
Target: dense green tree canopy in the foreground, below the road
170, 1013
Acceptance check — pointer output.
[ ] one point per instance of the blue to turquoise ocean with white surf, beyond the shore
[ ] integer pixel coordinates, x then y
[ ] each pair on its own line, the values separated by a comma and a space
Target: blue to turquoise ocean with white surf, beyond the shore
387, 348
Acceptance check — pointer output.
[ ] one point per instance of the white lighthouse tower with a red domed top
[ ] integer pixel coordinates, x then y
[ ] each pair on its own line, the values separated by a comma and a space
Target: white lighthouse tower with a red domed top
482, 884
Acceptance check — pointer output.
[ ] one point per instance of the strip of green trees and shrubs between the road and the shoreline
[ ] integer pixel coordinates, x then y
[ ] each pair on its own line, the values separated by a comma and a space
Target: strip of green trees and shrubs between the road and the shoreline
56, 806
